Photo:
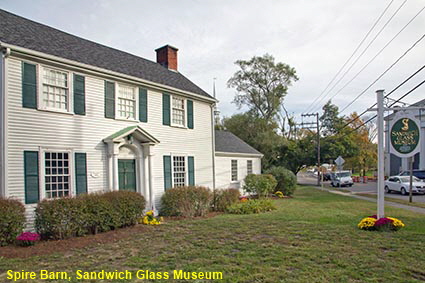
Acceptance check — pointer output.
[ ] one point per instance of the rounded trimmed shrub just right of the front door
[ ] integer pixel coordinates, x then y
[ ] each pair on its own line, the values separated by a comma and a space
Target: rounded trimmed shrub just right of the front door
186, 201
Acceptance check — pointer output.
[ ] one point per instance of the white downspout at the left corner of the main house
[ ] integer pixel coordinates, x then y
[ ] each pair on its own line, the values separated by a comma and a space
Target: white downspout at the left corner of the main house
5, 52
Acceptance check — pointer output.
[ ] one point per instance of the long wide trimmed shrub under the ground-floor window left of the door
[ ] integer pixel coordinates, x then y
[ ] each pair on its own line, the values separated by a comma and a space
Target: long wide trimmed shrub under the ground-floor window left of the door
87, 214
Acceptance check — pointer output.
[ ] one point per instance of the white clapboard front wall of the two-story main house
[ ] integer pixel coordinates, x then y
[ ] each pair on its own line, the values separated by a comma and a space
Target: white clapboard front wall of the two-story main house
28, 129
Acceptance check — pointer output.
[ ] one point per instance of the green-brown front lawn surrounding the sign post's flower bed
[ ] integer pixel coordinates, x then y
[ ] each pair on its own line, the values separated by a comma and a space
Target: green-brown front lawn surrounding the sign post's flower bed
310, 238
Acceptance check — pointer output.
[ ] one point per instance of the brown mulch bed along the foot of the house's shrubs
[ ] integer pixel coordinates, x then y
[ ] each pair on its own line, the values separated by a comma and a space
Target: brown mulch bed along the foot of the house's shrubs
60, 246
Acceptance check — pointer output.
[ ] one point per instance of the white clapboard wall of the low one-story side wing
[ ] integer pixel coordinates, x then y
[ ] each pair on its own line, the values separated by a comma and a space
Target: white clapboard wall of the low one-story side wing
223, 170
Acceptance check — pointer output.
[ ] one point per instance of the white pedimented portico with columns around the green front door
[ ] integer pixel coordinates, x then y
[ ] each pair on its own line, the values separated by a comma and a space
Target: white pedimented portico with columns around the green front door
130, 152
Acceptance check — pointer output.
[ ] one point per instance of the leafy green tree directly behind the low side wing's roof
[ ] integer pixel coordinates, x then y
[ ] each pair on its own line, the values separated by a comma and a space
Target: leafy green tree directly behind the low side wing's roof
258, 133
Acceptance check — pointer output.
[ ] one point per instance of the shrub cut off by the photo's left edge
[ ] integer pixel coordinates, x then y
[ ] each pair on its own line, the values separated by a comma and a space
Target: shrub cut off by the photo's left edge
12, 220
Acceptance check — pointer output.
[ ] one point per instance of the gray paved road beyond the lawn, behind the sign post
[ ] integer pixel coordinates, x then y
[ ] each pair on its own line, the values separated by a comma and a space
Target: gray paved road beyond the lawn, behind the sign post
369, 188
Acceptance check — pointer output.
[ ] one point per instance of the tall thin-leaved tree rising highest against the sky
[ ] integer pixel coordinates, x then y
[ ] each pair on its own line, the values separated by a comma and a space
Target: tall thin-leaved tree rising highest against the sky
261, 85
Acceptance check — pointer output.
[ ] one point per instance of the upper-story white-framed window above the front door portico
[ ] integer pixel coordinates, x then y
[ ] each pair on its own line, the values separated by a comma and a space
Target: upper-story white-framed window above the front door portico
126, 102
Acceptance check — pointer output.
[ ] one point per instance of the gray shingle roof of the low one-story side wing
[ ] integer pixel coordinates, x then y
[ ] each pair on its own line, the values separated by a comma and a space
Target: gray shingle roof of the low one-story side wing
228, 142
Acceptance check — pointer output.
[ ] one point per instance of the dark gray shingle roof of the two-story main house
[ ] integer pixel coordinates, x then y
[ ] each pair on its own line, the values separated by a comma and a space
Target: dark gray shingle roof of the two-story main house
25, 33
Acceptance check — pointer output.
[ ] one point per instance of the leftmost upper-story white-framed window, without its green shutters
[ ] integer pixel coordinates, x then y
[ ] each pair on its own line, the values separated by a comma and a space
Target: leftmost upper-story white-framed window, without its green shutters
55, 89
